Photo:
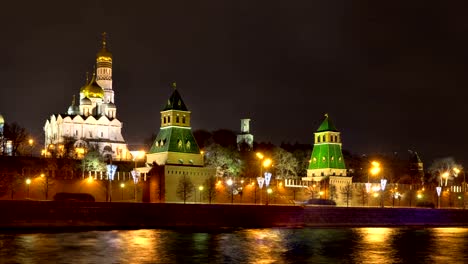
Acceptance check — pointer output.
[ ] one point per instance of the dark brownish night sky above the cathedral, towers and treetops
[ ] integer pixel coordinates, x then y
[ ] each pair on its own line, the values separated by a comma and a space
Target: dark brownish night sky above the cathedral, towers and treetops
392, 76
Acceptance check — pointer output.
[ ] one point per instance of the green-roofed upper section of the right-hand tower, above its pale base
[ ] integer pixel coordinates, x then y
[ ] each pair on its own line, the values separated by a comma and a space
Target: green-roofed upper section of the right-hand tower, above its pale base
327, 158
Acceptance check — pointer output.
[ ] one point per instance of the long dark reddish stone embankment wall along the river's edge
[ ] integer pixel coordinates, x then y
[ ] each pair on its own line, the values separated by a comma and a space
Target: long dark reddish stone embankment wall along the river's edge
48, 214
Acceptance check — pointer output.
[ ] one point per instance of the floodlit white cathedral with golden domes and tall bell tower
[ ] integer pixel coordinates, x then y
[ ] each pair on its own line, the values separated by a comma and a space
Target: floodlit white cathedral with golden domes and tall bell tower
92, 123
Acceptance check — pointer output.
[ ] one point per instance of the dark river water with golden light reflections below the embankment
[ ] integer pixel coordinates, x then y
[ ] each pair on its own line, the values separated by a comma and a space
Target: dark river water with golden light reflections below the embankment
272, 245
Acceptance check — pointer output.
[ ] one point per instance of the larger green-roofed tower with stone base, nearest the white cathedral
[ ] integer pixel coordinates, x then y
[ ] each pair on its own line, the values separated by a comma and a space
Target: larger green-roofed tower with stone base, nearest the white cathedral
175, 153
